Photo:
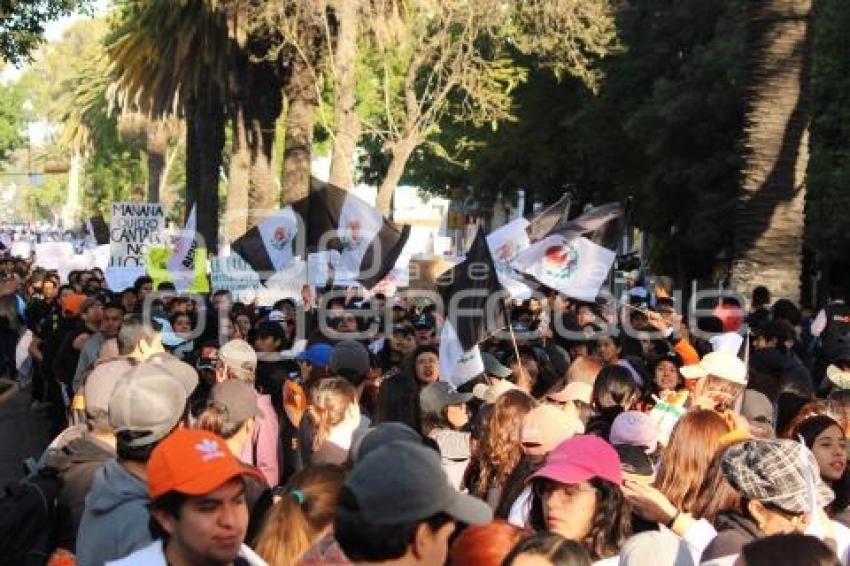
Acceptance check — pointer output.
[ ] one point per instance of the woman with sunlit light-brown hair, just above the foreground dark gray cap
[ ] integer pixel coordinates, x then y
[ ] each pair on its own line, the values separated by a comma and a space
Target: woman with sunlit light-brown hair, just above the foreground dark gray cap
335, 414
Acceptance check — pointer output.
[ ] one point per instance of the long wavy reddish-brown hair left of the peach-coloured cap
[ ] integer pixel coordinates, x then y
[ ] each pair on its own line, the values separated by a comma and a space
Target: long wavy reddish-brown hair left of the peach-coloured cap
500, 448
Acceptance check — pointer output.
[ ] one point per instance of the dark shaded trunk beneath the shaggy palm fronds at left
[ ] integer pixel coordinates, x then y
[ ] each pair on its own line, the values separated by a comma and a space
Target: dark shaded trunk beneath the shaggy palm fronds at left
204, 144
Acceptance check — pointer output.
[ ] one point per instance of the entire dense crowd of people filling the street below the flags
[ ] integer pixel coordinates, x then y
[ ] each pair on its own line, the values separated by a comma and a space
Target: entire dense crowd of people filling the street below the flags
193, 430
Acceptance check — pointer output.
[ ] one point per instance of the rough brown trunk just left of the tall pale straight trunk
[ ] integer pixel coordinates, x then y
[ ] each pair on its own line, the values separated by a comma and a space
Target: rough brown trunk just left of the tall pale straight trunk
301, 97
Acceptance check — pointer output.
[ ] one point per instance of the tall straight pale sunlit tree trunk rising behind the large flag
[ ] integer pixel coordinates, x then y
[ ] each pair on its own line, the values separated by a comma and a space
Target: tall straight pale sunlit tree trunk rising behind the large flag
346, 120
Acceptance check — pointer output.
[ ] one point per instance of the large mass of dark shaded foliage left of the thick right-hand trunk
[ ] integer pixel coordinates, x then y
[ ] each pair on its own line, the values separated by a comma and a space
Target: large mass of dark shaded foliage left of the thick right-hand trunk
664, 127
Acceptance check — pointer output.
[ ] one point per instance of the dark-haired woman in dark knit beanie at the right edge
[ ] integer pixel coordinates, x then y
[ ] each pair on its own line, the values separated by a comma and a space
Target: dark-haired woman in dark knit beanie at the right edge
824, 436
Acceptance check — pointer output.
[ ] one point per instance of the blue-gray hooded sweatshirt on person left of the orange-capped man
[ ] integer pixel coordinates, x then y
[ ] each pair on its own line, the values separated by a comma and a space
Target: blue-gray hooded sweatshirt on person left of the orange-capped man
115, 522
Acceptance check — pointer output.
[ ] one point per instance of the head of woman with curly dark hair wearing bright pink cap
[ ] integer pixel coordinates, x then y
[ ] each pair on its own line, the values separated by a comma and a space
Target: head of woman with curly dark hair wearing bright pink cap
578, 494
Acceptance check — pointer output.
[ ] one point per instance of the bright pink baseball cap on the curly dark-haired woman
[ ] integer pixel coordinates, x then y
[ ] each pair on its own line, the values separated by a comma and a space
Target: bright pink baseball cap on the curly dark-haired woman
581, 458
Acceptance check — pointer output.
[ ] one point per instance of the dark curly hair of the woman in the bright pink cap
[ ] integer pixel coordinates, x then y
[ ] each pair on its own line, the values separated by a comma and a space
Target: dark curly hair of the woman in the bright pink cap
612, 520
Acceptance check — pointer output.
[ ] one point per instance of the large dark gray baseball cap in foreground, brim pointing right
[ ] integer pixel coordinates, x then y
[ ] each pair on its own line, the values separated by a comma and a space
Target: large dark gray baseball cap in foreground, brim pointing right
402, 482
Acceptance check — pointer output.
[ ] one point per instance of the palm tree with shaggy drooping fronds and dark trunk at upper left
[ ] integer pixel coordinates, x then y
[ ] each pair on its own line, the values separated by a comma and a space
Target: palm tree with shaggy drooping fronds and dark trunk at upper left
173, 58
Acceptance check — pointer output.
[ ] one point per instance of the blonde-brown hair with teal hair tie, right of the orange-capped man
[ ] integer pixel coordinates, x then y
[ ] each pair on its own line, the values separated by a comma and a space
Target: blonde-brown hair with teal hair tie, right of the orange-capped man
295, 522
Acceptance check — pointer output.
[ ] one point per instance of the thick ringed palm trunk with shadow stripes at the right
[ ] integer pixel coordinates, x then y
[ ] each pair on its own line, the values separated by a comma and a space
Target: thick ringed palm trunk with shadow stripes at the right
769, 222
